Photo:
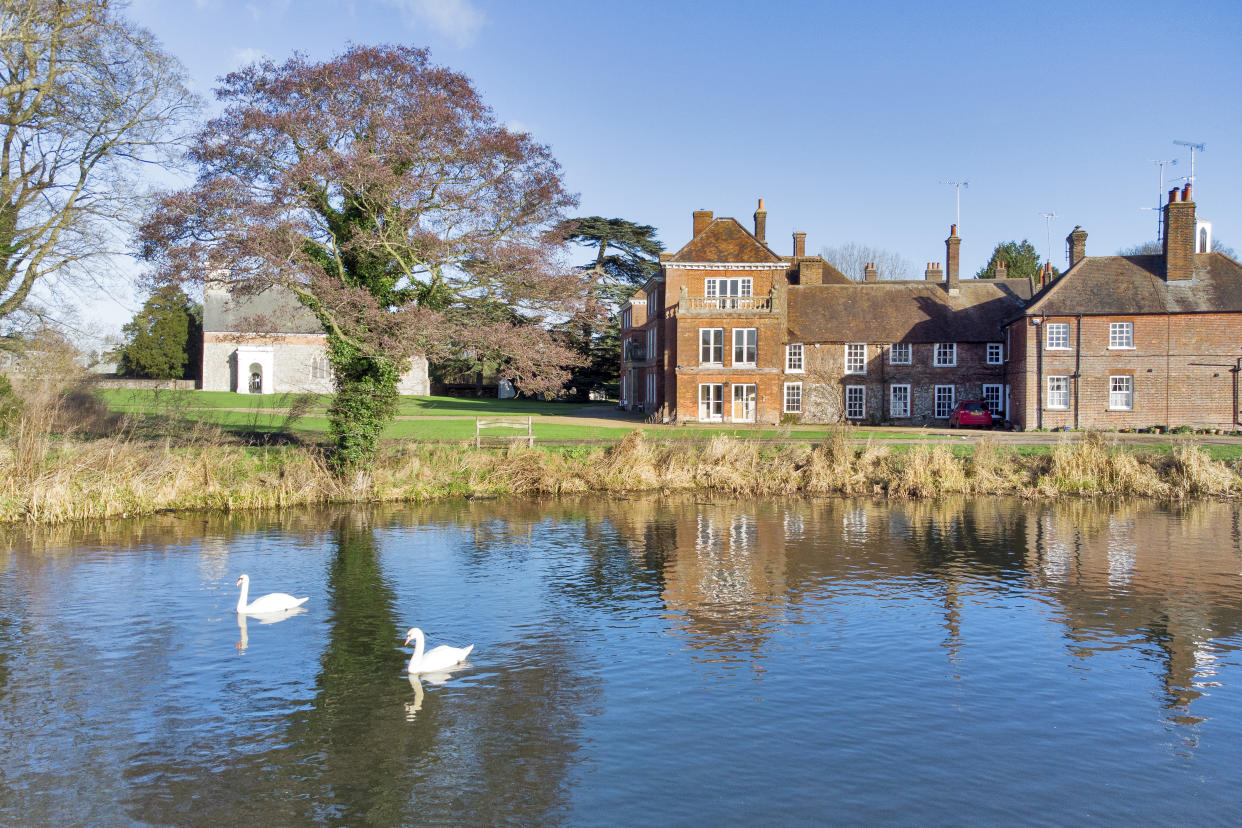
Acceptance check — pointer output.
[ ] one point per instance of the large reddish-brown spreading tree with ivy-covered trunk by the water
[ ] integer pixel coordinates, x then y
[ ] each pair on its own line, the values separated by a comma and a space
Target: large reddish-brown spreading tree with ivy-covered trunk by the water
382, 192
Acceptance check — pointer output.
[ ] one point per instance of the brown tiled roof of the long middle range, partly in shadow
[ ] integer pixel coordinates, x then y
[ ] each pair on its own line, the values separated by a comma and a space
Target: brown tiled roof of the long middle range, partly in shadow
913, 312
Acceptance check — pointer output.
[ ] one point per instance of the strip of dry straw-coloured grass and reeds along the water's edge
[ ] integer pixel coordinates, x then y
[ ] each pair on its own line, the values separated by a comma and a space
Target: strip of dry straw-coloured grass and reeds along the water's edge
44, 480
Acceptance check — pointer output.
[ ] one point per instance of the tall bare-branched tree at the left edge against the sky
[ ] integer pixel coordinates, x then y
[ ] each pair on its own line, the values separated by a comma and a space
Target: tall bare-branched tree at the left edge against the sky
86, 100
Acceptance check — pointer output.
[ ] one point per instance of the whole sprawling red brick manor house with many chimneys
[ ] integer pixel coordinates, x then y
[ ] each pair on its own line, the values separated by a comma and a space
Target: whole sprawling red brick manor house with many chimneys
728, 331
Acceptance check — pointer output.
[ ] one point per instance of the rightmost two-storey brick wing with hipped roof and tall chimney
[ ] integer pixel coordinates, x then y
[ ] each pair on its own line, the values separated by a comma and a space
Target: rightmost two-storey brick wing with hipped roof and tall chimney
1133, 341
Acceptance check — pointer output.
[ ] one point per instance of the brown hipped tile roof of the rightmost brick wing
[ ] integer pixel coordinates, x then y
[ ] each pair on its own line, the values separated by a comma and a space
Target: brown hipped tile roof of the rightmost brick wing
1136, 285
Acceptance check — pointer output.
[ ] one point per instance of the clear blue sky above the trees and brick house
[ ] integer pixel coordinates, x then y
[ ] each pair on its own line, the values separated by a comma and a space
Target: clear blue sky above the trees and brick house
850, 120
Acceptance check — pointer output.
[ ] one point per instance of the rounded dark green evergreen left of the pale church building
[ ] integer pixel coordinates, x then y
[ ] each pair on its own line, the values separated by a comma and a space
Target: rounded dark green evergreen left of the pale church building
165, 340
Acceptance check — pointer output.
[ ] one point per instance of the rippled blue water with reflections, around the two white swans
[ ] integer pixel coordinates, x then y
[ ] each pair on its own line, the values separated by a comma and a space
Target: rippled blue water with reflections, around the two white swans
639, 662
